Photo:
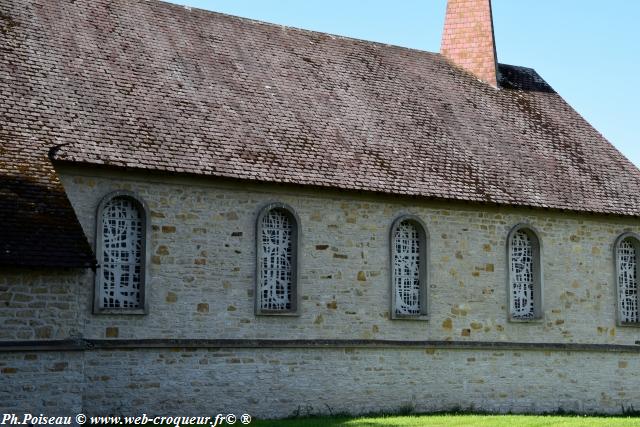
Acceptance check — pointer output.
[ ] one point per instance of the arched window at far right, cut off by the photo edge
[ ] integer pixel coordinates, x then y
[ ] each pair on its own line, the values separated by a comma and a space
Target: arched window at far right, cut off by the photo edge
626, 255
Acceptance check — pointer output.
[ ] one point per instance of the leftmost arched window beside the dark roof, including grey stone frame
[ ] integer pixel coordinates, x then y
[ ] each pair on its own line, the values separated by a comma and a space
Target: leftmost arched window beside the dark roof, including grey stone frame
121, 246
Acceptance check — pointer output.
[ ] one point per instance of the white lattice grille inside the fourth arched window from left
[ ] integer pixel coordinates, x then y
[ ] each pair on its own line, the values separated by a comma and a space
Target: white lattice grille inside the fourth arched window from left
522, 276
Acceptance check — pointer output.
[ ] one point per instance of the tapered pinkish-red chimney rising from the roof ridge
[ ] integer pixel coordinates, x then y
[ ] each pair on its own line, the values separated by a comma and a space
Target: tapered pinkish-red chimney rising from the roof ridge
468, 40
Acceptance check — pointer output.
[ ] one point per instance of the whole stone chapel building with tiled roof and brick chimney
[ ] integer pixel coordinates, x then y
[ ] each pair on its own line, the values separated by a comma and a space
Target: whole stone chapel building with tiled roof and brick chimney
203, 213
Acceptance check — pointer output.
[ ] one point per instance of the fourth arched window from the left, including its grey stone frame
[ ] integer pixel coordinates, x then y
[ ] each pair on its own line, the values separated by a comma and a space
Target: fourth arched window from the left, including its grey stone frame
525, 274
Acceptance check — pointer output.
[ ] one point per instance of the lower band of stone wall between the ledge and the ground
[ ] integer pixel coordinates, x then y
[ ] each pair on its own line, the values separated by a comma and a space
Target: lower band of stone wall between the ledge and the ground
282, 382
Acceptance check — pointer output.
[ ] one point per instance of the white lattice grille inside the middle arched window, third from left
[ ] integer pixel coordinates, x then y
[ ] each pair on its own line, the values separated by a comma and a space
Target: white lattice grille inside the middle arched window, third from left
406, 270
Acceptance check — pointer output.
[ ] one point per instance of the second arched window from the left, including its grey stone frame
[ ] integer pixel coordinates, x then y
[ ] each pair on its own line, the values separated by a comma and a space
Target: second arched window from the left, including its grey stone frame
277, 267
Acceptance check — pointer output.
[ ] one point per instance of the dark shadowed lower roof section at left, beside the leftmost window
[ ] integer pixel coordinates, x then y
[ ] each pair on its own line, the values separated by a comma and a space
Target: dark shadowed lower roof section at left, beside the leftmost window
39, 226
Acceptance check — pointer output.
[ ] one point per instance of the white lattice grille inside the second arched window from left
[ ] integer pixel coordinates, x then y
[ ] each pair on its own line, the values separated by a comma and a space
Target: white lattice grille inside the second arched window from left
276, 268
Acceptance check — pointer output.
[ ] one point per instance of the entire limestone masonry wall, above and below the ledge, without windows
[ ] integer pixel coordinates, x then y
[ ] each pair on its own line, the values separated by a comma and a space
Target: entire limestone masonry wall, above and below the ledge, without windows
202, 287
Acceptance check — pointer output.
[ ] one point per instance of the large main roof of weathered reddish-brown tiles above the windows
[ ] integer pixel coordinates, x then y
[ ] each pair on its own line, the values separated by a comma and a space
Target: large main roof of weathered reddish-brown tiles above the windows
150, 85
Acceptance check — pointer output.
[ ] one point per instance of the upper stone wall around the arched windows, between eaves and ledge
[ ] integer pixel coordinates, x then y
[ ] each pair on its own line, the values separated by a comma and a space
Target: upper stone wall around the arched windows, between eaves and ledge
203, 265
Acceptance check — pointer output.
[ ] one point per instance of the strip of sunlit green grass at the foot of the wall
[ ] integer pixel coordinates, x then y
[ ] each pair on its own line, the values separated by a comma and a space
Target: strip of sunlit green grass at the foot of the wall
453, 420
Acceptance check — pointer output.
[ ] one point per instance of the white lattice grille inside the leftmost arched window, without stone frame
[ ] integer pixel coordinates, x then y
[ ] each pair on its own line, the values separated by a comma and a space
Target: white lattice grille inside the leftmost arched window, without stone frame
122, 257
